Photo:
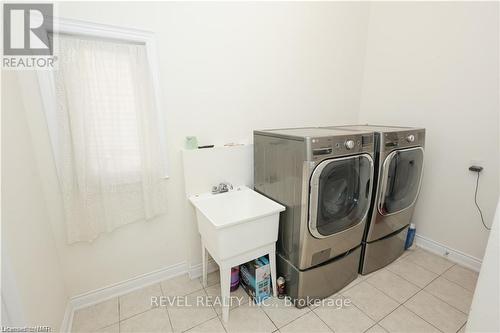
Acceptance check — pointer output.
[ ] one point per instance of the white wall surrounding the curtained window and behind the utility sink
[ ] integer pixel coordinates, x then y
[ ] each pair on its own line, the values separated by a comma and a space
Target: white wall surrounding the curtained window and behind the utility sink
226, 69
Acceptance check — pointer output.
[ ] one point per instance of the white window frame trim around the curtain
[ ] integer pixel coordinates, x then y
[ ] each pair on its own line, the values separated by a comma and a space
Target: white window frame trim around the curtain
103, 32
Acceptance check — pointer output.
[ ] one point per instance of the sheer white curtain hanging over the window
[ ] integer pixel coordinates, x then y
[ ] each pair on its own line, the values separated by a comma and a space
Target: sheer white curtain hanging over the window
108, 149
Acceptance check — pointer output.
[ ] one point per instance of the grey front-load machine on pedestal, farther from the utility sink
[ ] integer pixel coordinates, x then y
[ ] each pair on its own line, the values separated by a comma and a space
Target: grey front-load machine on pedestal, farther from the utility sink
399, 158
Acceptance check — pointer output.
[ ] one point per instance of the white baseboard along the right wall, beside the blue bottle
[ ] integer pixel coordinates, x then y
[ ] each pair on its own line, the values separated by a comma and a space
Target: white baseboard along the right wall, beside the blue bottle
449, 253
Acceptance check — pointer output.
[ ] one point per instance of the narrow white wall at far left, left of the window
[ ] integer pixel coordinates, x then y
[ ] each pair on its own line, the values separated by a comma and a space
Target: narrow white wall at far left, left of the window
28, 244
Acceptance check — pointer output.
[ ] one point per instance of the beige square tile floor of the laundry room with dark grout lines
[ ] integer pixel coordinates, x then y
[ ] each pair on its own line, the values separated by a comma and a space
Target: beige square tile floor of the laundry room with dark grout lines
420, 292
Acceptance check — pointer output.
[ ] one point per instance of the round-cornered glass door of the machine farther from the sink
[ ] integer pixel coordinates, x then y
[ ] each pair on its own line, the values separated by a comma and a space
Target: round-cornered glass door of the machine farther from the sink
402, 173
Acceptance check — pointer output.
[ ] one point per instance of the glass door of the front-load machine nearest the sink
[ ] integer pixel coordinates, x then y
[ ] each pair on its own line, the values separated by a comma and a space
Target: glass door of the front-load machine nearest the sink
340, 194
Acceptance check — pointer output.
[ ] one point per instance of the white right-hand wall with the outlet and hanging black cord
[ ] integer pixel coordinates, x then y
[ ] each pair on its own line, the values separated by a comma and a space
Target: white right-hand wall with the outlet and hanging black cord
436, 65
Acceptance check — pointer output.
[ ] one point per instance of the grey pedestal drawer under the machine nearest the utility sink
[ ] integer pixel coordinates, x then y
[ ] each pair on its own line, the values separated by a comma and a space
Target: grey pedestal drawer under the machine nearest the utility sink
321, 281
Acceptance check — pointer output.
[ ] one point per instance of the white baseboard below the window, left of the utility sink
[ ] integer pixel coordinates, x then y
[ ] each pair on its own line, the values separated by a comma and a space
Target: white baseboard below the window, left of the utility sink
118, 289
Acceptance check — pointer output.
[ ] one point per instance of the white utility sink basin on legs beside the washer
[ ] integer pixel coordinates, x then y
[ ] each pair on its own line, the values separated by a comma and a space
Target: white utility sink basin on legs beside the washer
236, 221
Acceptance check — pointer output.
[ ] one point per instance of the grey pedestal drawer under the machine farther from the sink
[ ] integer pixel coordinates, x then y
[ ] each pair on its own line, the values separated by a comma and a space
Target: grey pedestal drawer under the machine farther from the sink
383, 251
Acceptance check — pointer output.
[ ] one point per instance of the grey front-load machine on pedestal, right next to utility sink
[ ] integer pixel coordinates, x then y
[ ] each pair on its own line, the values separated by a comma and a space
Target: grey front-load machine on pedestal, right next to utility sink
324, 177
